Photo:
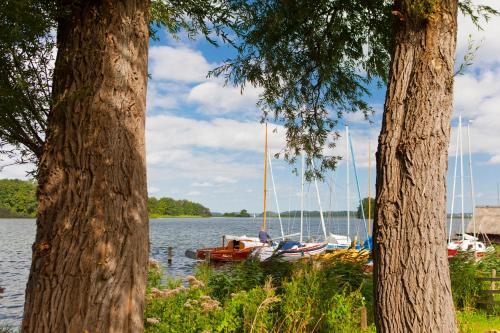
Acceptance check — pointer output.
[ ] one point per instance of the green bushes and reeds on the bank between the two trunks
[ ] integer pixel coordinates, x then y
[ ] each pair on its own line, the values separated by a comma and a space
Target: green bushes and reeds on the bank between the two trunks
302, 297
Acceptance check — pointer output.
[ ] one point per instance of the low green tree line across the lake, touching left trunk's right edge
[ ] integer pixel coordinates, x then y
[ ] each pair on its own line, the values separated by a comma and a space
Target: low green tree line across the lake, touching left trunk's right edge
172, 207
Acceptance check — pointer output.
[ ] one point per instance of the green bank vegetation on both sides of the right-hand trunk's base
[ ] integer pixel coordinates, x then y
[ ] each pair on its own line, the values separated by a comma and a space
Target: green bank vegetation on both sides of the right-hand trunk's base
301, 297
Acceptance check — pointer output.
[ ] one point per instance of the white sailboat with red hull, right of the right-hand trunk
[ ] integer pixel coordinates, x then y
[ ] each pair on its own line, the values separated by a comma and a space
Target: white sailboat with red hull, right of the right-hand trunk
467, 243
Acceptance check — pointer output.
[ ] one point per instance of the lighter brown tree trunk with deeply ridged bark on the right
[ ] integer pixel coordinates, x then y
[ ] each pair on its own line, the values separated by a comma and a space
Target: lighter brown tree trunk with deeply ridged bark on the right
412, 283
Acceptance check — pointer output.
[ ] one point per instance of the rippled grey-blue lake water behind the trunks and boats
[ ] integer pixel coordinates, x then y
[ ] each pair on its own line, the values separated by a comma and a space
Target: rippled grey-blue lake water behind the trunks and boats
17, 236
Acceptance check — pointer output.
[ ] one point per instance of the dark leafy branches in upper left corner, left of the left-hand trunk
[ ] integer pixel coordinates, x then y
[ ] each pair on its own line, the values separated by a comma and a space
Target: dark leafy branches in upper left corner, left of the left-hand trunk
26, 62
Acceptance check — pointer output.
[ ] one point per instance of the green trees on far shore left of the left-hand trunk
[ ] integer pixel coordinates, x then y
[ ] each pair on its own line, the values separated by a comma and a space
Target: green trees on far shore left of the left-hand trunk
18, 198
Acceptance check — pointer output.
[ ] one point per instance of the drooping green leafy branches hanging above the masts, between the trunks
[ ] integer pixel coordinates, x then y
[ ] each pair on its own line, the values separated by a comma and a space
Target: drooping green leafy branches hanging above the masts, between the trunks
315, 60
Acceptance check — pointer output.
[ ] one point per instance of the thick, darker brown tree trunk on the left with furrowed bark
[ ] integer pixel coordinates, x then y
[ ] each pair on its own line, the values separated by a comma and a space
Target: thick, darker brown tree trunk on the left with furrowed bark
90, 255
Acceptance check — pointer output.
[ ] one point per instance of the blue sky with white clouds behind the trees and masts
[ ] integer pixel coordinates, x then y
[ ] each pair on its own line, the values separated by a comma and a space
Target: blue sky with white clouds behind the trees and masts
205, 142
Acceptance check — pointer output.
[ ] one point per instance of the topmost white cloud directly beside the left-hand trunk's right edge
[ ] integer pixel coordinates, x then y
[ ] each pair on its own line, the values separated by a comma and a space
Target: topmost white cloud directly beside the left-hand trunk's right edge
178, 64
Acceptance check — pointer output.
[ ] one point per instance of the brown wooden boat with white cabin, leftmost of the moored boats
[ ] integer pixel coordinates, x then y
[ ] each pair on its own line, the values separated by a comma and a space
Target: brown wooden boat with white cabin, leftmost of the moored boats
236, 249
